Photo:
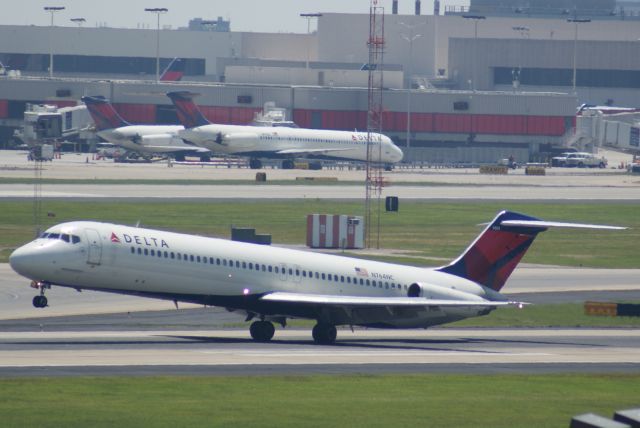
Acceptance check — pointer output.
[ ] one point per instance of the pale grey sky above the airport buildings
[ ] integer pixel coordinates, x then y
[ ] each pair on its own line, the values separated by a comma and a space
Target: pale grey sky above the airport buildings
245, 15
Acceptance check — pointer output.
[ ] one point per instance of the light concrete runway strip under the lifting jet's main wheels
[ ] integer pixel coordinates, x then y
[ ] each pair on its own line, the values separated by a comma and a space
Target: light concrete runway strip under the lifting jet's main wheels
369, 351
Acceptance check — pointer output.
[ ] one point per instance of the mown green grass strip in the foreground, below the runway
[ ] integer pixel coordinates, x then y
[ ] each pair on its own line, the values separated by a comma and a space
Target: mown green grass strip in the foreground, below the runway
314, 401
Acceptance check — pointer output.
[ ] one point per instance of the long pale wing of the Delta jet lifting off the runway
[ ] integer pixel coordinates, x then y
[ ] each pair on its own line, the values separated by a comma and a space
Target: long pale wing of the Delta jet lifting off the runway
364, 301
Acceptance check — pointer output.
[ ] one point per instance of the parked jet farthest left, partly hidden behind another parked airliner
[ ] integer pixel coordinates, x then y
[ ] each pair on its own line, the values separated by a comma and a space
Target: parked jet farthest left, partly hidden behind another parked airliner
144, 140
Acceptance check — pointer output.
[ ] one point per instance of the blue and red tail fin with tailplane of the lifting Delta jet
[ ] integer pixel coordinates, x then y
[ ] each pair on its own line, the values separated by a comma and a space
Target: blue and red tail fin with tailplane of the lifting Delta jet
496, 252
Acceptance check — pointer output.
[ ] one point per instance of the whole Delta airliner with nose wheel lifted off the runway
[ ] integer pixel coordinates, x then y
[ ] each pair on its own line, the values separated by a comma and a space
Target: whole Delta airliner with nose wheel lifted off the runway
273, 284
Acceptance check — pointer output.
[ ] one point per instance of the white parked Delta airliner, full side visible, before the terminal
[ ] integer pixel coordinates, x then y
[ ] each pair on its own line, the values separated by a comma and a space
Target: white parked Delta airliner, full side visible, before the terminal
286, 143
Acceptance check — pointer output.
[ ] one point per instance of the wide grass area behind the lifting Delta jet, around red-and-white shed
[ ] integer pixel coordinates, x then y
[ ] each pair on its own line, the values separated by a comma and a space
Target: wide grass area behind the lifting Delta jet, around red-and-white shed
430, 232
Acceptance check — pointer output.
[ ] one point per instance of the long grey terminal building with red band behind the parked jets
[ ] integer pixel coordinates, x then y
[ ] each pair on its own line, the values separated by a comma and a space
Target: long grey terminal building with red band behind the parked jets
477, 84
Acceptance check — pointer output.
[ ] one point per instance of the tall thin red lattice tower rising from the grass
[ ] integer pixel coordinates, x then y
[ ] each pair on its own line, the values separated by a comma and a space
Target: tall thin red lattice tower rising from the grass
374, 181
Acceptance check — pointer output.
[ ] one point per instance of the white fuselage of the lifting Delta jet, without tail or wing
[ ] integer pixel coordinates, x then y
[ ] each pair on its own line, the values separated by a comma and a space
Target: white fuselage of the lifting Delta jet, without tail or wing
210, 271
